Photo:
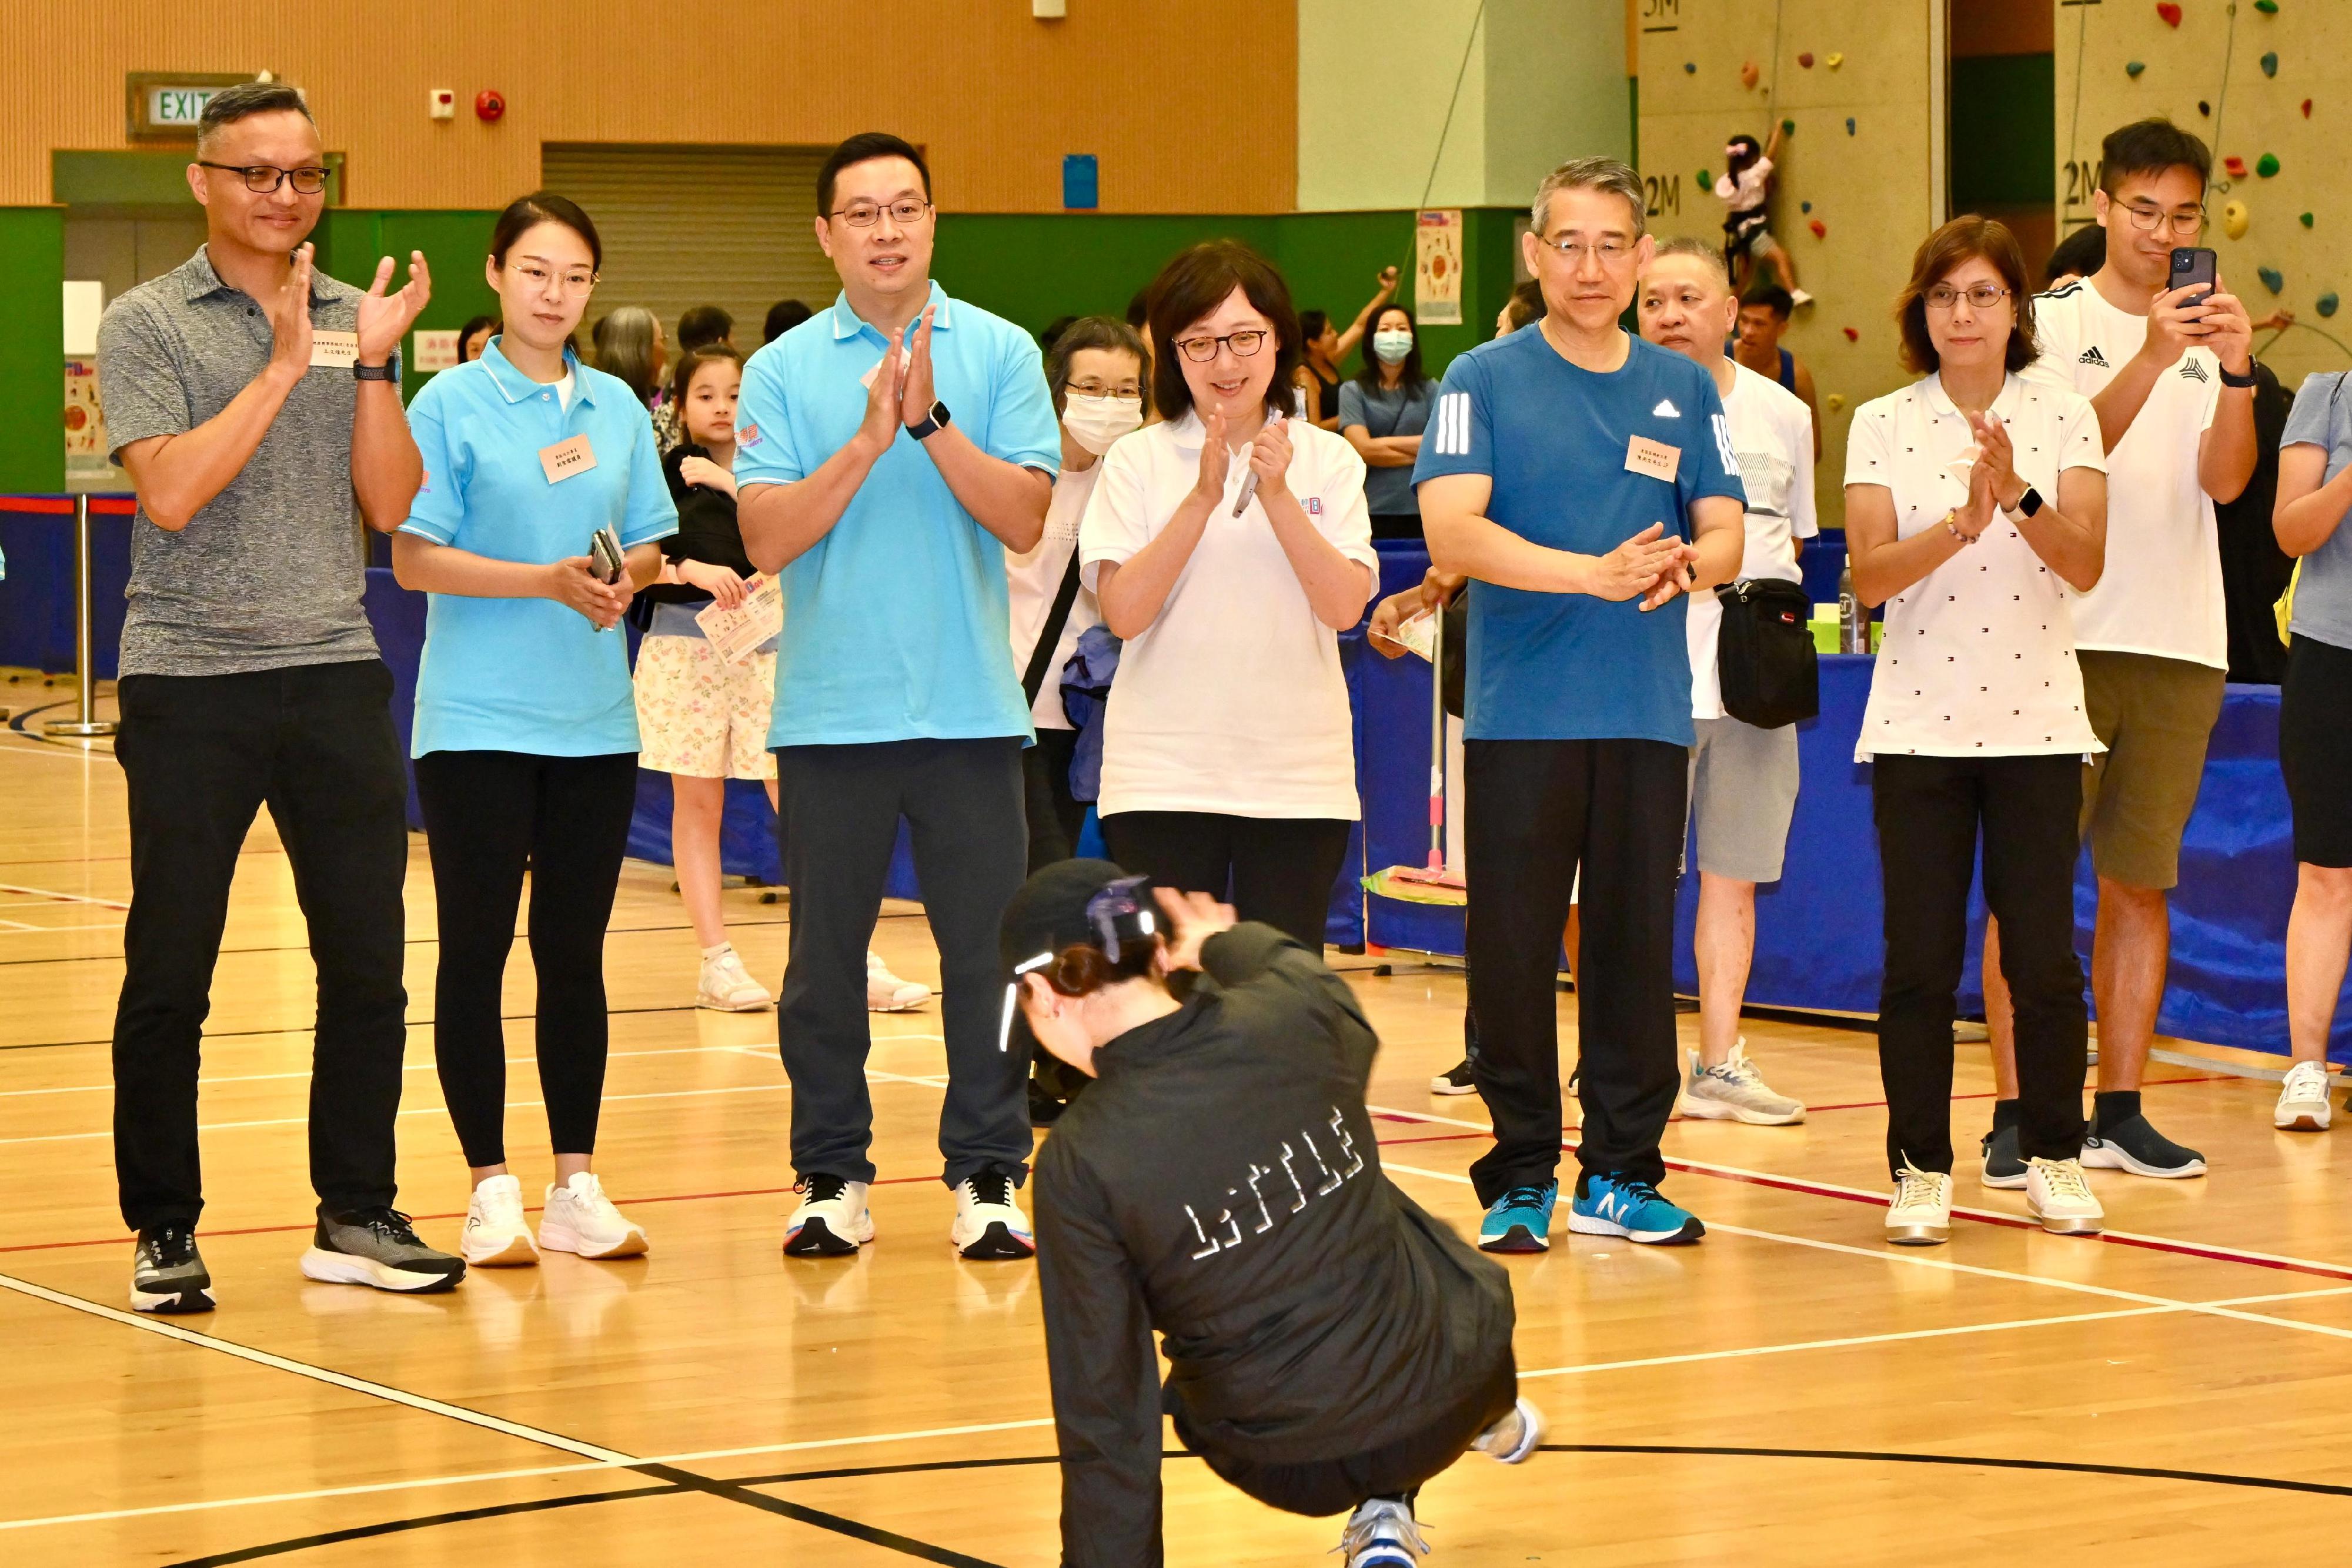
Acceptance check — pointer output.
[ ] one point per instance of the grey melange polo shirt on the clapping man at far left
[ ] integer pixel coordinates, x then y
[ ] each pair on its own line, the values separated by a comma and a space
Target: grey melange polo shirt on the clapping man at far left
267, 575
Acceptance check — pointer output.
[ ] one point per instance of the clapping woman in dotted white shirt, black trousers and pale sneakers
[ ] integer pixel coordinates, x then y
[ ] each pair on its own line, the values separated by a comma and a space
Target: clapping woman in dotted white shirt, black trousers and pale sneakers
1977, 511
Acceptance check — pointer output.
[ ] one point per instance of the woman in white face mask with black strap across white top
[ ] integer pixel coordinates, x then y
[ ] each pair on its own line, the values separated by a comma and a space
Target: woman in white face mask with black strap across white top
1097, 382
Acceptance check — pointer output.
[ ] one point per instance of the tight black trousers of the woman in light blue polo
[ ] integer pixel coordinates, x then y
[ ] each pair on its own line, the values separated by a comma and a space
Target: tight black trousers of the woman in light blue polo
488, 819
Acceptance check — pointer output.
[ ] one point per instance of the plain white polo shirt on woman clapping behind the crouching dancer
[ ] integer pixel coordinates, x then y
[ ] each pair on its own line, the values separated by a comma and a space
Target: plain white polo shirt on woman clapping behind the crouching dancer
1234, 699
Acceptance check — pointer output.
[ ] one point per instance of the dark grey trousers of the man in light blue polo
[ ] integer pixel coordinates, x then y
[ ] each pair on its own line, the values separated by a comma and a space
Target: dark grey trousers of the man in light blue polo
963, 808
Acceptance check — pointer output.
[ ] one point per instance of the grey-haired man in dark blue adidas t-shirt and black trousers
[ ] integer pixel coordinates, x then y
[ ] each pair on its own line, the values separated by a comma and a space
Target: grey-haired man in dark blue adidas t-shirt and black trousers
1584, 483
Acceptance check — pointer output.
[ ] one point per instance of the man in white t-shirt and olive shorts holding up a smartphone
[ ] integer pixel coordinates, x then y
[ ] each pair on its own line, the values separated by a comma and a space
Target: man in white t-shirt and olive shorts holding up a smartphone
2170, 373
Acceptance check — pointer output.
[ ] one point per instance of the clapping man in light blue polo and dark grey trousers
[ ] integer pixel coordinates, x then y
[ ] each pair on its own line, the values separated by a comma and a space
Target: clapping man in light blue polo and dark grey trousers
890, 453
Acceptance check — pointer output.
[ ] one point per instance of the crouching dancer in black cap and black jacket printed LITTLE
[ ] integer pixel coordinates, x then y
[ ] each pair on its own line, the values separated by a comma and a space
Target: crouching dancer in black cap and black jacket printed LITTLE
1332, 1346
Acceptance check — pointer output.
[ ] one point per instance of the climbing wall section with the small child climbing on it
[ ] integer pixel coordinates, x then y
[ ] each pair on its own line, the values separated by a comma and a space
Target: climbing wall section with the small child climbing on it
1859, 177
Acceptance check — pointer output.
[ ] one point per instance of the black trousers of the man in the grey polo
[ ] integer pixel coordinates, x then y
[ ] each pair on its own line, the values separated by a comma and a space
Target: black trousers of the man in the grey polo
201, 756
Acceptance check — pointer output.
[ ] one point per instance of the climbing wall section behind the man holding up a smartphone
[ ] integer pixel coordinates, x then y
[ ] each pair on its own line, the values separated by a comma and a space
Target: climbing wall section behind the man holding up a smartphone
2269, 83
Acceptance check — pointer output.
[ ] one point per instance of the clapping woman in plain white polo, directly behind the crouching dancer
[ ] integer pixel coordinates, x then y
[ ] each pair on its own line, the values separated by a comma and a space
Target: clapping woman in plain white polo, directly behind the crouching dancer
1229, 753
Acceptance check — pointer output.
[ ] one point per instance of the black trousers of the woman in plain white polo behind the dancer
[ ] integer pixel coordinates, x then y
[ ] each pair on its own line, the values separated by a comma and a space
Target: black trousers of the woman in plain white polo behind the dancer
1278, 869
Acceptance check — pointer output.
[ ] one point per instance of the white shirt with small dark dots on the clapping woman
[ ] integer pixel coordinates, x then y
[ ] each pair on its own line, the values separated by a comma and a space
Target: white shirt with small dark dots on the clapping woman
1979, 657
